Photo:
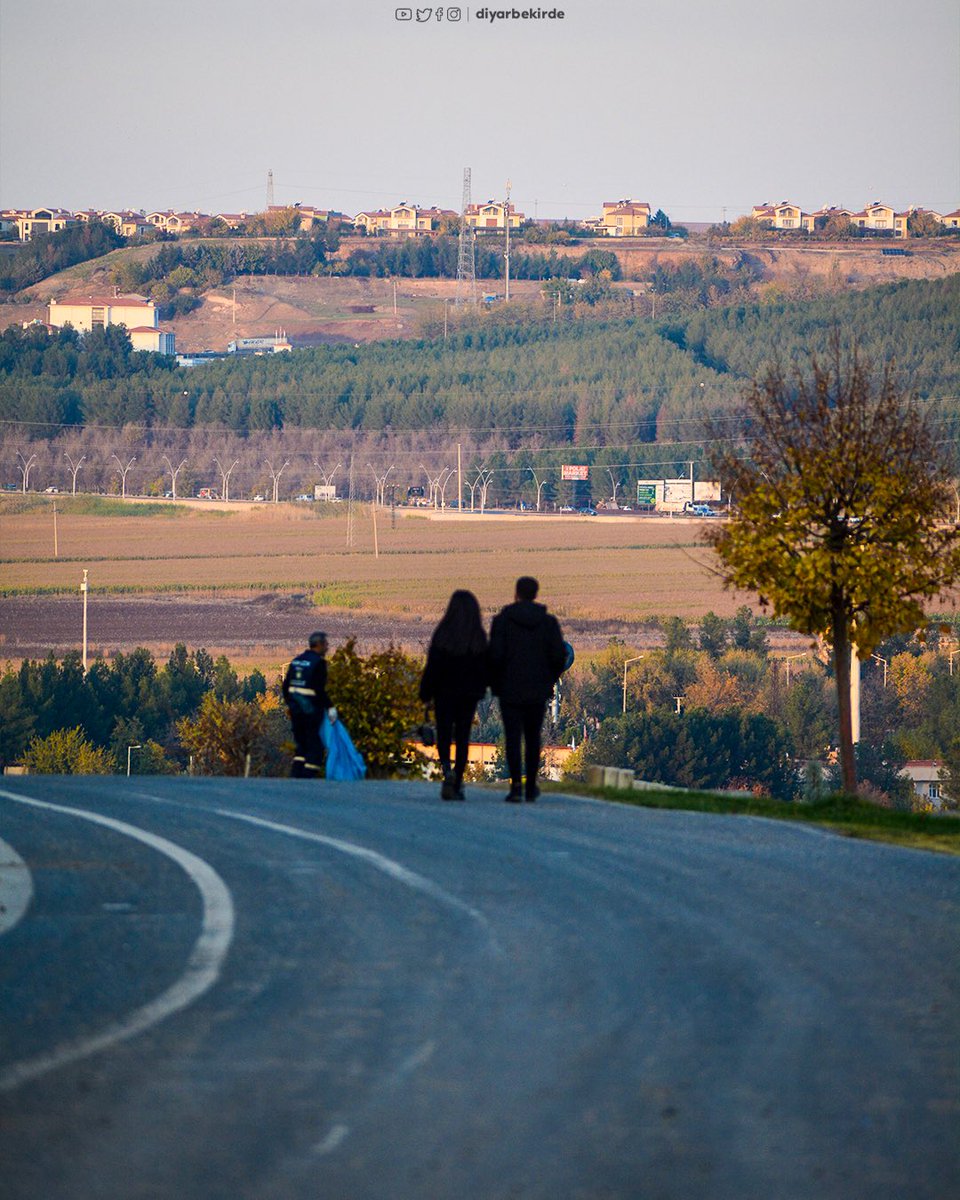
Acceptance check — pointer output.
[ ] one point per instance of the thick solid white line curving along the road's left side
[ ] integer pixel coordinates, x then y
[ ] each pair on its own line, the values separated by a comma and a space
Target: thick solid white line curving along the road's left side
202, 970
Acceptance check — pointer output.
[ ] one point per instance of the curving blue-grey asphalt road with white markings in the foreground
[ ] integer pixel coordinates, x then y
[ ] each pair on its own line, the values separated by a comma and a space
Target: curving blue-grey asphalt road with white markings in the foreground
277, 991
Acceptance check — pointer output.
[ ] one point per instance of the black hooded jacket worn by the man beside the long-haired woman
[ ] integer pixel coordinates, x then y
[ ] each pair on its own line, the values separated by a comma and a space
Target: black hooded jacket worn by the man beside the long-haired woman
527, 653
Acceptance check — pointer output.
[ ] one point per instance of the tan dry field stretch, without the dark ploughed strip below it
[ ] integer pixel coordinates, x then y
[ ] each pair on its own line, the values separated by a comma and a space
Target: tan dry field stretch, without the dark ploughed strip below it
590, 568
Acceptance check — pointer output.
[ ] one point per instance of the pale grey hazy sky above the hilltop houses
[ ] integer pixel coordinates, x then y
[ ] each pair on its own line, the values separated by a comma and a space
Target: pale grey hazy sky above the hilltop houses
700, 109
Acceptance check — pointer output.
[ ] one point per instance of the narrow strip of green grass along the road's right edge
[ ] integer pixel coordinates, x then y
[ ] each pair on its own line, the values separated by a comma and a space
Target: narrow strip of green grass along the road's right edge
844, 815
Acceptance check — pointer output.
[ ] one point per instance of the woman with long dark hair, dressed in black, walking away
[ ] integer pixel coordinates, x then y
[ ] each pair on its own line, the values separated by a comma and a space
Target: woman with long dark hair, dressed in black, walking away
455, 680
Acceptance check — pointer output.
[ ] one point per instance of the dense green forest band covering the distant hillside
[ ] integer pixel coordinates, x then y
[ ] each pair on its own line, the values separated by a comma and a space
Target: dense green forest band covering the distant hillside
537, 381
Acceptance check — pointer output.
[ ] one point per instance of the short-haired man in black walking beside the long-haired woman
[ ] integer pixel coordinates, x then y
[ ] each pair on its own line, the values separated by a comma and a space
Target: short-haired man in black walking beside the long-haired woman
527, 656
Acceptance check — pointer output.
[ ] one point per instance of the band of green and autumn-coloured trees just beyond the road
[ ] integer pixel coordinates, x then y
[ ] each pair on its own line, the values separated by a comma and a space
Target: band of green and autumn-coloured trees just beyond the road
746, 719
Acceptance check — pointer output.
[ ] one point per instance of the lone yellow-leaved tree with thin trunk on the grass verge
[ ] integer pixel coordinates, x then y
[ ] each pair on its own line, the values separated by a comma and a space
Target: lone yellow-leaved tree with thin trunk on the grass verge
841, 490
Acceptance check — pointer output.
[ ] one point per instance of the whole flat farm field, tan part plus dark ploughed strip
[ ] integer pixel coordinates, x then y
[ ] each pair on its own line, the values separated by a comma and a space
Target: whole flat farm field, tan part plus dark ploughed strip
251, 578
